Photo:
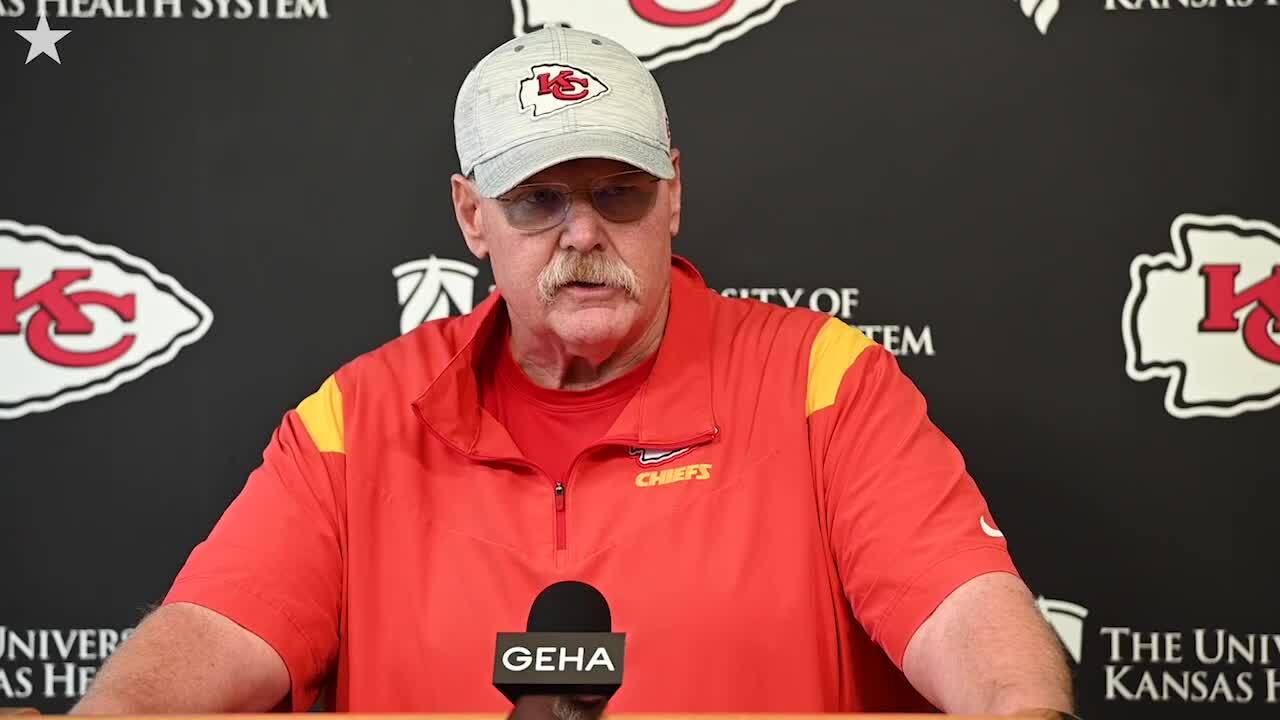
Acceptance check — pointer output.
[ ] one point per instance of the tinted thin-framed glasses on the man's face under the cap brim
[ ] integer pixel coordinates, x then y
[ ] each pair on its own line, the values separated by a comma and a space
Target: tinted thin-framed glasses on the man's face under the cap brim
621, 198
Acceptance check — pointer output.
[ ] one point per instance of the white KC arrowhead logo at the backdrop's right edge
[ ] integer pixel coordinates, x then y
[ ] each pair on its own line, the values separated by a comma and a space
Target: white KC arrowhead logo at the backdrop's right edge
1205, 317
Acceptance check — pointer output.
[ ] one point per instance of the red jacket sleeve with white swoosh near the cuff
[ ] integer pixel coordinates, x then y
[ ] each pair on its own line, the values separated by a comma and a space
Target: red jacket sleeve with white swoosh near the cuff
908, 525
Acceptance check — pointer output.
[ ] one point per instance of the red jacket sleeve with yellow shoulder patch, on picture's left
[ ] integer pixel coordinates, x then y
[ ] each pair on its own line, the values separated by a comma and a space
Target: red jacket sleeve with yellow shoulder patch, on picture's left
275, 562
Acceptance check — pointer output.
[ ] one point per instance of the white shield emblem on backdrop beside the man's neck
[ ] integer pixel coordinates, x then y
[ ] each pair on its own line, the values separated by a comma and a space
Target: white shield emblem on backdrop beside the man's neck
432, 289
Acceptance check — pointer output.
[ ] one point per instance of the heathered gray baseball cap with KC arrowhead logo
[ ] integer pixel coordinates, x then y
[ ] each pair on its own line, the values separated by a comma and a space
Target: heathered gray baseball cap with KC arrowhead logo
555, 95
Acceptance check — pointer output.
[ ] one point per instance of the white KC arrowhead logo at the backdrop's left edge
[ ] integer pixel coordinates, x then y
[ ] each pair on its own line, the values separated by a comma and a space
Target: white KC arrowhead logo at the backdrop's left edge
79, 320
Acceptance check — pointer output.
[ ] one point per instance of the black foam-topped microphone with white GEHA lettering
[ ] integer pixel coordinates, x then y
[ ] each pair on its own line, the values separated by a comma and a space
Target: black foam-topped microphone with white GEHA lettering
569, 662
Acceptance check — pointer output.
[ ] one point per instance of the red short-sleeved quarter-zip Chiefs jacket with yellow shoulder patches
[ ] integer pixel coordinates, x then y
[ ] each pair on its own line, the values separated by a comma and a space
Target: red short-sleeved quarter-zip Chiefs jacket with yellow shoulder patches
771, 518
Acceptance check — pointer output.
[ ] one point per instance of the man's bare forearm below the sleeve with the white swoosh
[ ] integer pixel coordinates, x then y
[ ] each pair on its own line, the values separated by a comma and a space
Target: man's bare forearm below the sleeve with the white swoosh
988, 650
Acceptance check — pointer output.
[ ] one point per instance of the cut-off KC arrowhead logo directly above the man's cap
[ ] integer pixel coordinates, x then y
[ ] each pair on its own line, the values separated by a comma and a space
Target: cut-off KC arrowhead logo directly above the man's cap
656, 31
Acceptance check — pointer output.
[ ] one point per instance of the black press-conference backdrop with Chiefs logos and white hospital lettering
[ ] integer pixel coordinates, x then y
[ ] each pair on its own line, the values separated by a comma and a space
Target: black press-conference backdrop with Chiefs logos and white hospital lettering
1060, 216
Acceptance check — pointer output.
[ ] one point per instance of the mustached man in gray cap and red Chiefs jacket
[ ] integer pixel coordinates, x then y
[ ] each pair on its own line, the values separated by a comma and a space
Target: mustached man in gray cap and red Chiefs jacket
757, 491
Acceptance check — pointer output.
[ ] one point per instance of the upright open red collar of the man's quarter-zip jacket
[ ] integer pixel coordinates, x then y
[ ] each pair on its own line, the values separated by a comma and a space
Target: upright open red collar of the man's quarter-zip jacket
673, 408
